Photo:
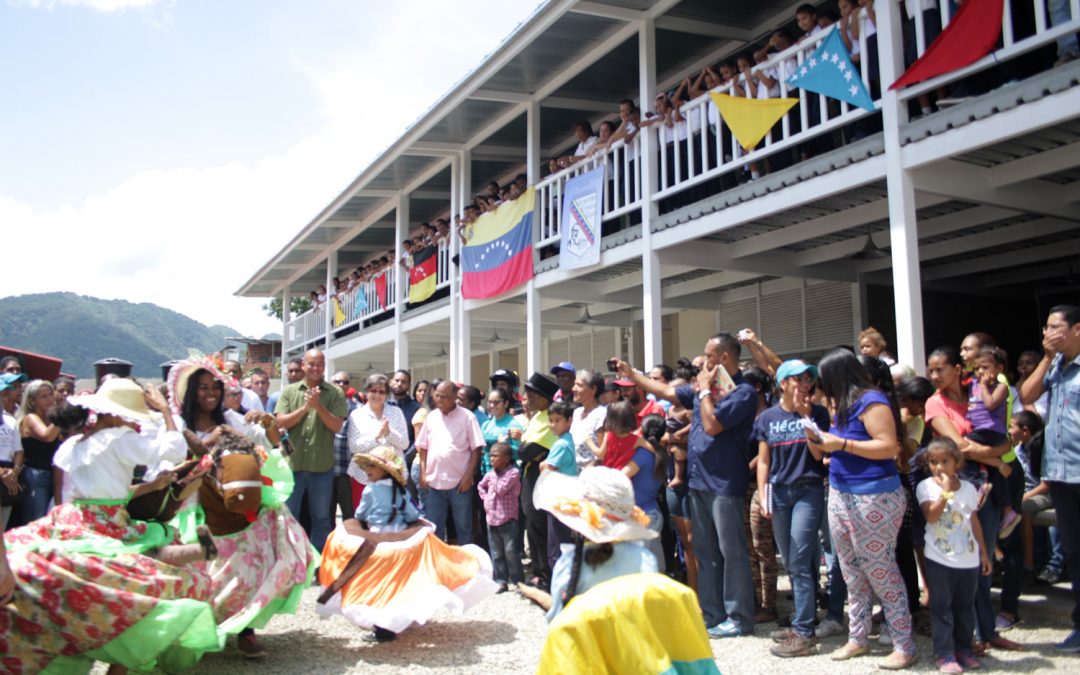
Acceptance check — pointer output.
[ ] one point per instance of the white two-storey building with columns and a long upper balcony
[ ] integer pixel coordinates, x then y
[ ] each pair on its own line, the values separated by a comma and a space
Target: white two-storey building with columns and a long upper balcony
964, 220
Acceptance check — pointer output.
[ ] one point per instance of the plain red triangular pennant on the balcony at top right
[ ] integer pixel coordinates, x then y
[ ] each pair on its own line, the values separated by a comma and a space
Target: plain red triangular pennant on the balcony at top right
970, 36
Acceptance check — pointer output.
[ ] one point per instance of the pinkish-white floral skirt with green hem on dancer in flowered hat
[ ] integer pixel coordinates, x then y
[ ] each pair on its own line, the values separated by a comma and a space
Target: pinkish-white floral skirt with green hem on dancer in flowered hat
261, 572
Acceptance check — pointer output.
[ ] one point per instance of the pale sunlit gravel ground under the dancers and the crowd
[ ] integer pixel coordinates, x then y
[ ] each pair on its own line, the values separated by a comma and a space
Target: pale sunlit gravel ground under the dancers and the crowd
505, 636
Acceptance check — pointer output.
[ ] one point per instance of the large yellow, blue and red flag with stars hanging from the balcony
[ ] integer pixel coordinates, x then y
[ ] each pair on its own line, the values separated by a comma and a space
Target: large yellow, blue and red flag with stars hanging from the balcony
499, 255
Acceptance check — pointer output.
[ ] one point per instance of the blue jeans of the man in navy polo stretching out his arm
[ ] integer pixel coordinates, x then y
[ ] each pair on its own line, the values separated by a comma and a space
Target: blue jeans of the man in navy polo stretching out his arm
725, 587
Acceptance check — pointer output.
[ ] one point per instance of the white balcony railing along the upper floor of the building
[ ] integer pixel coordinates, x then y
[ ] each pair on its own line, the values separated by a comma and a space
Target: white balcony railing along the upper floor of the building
703, 150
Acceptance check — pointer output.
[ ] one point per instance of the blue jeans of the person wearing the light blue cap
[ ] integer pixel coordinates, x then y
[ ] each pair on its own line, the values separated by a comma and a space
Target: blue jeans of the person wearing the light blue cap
796, 517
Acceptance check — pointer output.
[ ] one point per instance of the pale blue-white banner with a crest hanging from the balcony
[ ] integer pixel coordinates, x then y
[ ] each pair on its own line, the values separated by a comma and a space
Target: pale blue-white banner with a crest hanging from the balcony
583, 208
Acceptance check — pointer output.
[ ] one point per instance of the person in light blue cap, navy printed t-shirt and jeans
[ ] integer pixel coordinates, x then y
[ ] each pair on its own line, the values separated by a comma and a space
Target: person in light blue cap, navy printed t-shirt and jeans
791, 484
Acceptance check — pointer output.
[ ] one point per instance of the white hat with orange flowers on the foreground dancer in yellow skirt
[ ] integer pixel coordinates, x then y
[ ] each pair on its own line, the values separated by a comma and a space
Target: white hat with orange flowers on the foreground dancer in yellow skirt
599, 504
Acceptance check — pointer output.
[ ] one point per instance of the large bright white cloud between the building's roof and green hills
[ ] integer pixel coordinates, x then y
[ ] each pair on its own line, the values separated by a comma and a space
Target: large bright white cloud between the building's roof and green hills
187, 238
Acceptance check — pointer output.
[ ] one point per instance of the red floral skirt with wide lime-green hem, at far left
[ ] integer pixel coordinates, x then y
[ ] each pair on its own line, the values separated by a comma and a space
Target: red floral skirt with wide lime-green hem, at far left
86, 592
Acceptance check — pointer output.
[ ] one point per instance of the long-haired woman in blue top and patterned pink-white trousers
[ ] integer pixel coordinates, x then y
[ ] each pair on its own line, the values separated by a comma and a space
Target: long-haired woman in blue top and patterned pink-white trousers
867, 504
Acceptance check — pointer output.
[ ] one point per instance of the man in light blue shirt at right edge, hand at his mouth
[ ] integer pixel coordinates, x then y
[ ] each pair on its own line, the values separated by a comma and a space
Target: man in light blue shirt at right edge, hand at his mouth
1059, 373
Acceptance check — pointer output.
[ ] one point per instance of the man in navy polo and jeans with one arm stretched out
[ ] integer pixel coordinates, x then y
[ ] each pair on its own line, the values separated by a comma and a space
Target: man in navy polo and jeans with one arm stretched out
718, 461
